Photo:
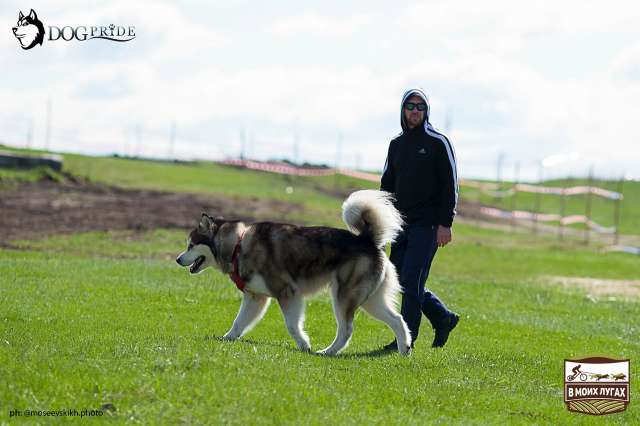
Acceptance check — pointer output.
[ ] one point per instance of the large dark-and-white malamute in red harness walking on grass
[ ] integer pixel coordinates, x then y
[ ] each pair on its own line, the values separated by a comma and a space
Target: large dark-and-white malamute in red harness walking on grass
287, 262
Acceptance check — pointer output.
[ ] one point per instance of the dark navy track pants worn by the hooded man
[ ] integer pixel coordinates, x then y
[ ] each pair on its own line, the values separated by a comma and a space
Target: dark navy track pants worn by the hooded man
412, 254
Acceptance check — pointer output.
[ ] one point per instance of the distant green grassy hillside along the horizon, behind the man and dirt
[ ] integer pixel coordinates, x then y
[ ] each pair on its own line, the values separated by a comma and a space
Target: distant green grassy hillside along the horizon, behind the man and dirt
318, 193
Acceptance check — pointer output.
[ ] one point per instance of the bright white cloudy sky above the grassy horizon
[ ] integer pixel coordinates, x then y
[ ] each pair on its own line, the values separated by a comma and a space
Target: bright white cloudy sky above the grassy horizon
548, 82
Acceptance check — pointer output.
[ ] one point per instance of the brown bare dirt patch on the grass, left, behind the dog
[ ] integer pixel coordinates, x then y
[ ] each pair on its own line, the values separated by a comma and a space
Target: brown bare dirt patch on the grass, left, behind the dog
34, 210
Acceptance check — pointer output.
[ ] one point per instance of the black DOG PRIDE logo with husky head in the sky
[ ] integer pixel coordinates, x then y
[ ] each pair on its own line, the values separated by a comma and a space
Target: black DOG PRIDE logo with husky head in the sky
30, 31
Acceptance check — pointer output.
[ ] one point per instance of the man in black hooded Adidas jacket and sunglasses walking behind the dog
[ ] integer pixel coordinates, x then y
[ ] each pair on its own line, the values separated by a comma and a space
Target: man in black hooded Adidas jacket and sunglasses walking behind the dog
420, 172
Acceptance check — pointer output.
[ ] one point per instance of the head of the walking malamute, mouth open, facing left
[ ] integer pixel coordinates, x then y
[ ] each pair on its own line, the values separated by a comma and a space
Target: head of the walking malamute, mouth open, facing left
201, 246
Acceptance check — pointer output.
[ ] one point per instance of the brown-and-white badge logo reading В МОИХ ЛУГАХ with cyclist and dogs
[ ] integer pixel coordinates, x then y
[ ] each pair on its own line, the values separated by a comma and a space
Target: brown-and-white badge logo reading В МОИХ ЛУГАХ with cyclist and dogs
596, 386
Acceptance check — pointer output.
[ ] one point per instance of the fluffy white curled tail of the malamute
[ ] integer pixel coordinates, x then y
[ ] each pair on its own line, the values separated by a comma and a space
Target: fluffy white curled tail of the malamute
371, 212
